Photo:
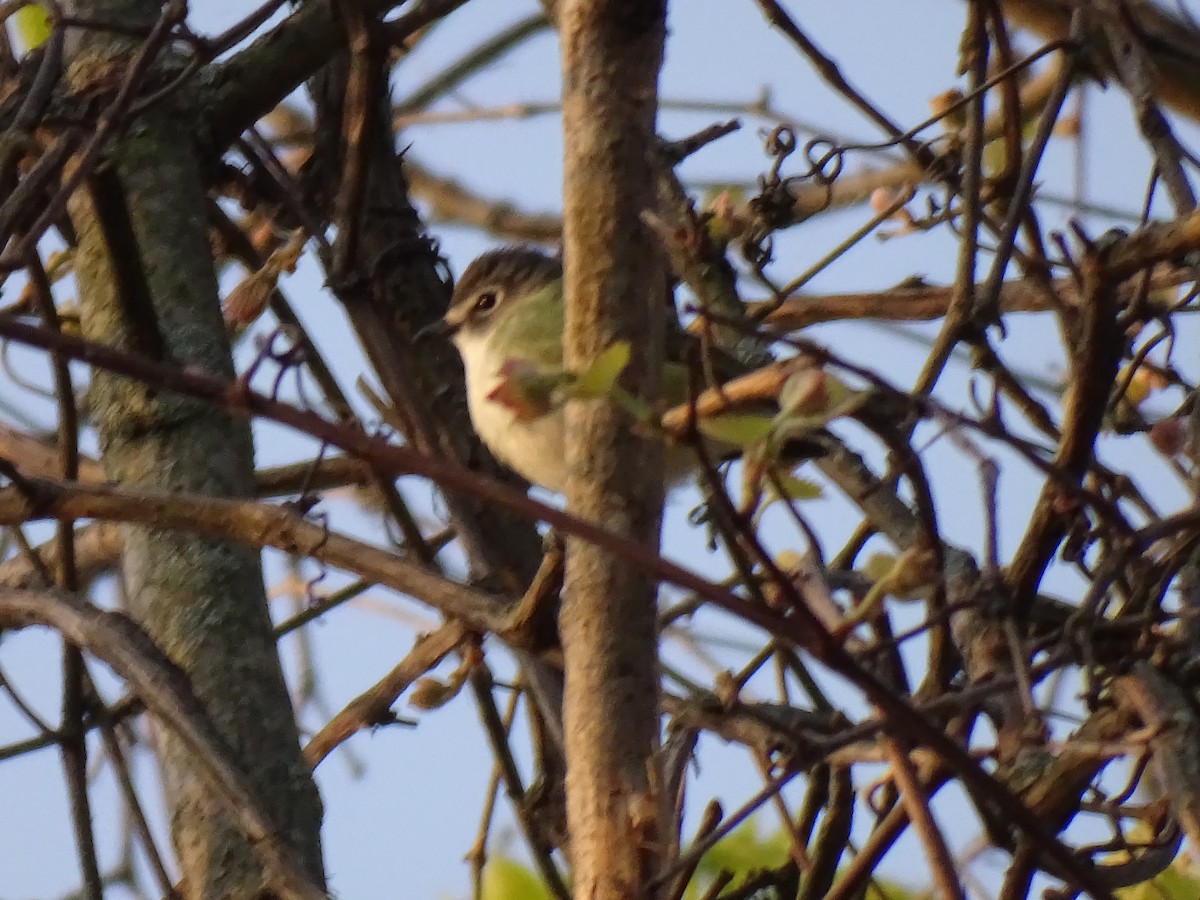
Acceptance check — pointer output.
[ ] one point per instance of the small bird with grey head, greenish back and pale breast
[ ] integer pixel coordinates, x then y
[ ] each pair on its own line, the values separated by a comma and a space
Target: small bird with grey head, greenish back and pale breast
508, 314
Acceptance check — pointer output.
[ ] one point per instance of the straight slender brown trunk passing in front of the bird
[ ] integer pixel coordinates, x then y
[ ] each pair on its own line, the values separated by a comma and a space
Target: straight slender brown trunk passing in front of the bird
611, 53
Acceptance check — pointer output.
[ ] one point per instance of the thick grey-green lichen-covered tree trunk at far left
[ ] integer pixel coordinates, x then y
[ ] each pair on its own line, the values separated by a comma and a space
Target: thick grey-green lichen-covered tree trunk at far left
147, 285
